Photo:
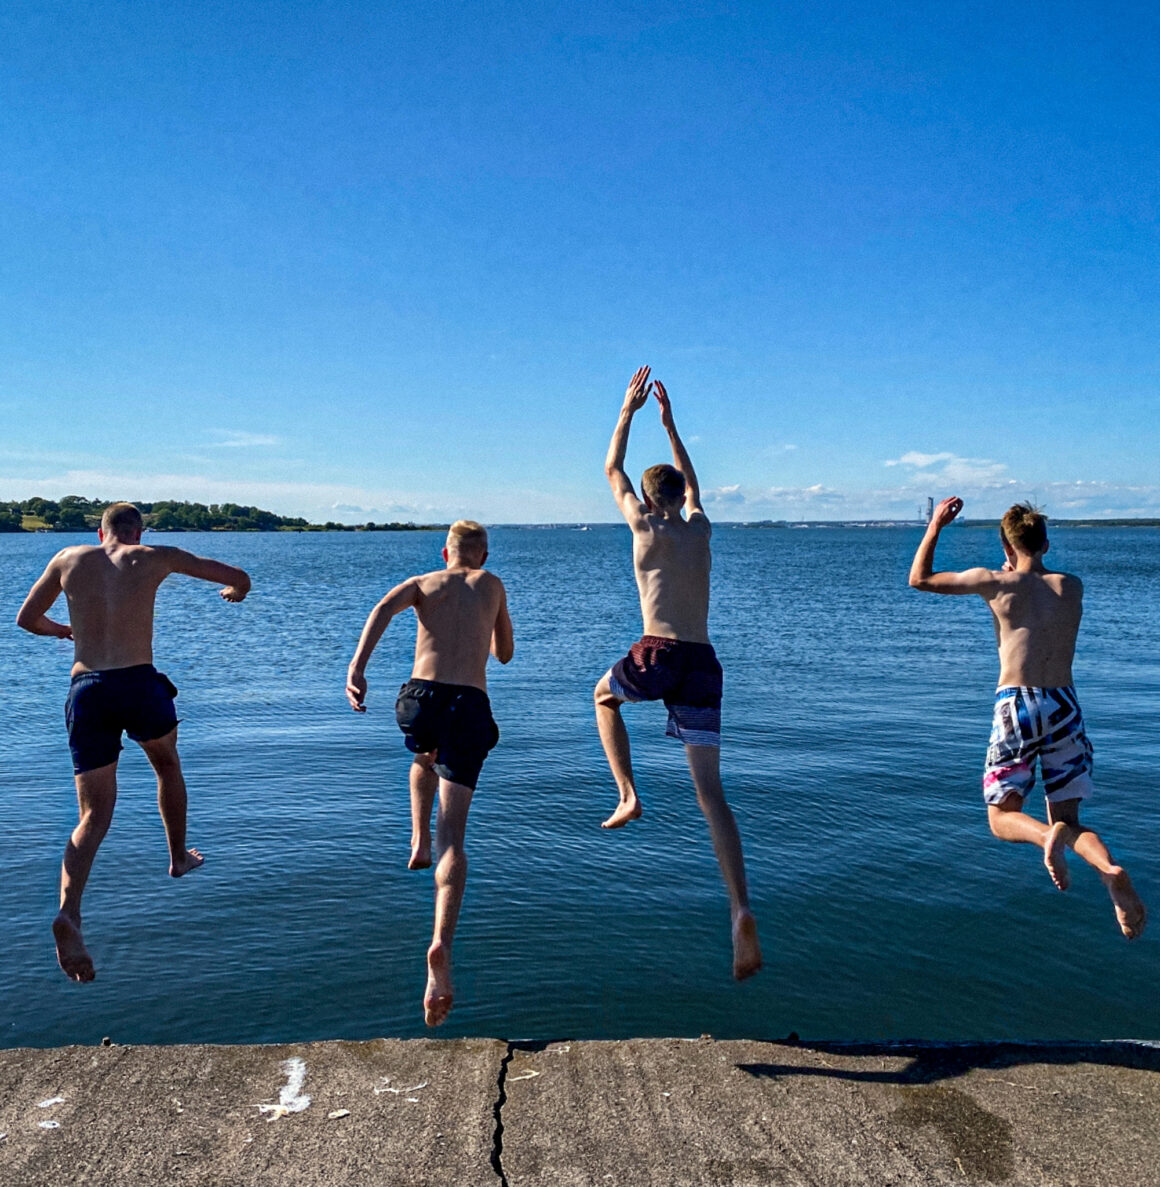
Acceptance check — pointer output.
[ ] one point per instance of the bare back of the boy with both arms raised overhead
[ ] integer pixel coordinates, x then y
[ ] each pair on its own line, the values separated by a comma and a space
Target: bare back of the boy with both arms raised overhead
671, 561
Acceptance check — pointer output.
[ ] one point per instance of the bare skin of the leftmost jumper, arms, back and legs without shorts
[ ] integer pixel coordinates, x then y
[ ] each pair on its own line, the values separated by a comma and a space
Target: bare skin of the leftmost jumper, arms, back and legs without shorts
111, 591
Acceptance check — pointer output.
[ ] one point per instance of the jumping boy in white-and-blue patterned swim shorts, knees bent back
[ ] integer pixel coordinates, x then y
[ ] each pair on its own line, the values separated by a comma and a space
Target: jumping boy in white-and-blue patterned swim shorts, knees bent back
1037, 715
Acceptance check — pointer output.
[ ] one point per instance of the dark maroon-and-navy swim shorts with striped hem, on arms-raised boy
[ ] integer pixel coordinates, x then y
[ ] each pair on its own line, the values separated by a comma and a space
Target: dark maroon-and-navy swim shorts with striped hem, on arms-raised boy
687, 677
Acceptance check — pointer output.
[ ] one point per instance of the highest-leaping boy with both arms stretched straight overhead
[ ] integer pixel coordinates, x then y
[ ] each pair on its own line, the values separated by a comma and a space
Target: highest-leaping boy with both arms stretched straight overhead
674, 661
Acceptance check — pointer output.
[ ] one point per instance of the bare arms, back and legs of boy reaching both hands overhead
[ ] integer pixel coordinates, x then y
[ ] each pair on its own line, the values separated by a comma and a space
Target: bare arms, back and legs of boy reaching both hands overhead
671, 561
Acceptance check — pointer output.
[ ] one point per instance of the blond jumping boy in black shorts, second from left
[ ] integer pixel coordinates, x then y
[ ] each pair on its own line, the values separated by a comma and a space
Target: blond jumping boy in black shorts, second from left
446, 718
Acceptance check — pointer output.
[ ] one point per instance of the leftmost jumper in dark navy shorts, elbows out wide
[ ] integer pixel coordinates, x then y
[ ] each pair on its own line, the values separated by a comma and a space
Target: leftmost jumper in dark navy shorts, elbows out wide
111, 589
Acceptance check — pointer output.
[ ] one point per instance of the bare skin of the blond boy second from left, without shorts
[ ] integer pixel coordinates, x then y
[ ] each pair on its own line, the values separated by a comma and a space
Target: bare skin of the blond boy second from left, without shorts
462, 619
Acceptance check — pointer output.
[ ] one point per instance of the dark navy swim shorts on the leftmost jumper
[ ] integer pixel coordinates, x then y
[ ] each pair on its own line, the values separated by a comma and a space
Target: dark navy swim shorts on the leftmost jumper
100, 706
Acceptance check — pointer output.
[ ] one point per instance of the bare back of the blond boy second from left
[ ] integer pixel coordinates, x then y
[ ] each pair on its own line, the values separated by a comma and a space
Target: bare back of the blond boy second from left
458, 611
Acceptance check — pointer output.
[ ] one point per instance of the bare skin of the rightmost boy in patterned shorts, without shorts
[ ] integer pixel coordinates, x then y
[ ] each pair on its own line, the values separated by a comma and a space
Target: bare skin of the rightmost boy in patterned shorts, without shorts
1037, 615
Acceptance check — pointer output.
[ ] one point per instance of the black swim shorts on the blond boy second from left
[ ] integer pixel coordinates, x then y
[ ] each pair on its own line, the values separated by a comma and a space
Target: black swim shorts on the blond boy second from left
454, 720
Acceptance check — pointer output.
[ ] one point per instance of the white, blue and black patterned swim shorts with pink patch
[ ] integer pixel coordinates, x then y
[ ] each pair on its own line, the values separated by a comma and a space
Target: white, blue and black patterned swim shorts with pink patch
1044, 725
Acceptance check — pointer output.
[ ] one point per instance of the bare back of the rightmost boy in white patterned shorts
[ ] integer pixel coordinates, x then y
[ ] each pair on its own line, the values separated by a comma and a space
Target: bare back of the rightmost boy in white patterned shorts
1037, 619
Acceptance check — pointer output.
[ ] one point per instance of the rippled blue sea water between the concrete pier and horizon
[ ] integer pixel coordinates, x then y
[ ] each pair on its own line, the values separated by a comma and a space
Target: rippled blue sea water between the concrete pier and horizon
857, 719
